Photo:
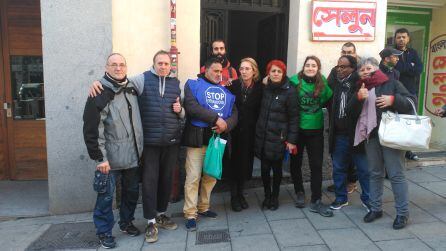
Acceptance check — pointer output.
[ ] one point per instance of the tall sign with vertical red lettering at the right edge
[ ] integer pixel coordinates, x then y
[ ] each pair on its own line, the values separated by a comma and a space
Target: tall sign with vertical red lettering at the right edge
436, 75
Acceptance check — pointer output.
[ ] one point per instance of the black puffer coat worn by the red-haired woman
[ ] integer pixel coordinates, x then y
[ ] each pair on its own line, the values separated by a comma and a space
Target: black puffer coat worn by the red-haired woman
278, 120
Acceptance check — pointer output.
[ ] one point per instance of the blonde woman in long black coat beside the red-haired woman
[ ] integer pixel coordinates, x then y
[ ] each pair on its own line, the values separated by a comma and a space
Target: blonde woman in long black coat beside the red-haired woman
248, 95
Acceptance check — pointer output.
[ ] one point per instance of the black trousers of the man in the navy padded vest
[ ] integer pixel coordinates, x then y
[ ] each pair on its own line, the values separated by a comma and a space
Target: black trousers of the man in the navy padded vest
159, 163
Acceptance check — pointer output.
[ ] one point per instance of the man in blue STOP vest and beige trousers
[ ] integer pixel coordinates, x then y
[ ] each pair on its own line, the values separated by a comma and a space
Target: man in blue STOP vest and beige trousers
209, 107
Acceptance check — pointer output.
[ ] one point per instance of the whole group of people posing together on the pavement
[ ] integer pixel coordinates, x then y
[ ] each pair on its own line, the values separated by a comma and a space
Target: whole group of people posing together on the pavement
277, 117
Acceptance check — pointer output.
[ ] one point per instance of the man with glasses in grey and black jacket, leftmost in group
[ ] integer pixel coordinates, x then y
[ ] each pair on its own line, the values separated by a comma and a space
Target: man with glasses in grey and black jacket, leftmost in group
113, 135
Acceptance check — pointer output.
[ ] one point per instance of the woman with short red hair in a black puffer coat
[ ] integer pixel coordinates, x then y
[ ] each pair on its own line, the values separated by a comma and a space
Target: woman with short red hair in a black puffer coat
276, 129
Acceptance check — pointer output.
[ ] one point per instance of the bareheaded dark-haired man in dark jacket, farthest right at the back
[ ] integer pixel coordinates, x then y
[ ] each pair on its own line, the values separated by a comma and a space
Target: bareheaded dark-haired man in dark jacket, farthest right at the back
410, 68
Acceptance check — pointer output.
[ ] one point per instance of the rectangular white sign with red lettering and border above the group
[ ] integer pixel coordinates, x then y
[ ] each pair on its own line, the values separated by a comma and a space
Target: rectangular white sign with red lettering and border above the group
343, 21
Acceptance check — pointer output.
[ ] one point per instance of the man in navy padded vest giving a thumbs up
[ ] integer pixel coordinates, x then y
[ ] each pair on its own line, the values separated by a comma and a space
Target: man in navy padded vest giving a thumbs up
161, 111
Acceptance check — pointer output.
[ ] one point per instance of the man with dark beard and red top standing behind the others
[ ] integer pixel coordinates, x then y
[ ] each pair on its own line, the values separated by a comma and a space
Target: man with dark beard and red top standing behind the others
219, 51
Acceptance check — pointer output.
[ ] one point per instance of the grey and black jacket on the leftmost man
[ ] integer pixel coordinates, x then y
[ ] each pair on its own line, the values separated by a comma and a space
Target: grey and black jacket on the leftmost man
112, 126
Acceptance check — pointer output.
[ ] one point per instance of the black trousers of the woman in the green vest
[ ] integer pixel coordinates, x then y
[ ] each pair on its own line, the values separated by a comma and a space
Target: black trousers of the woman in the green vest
313, 142
